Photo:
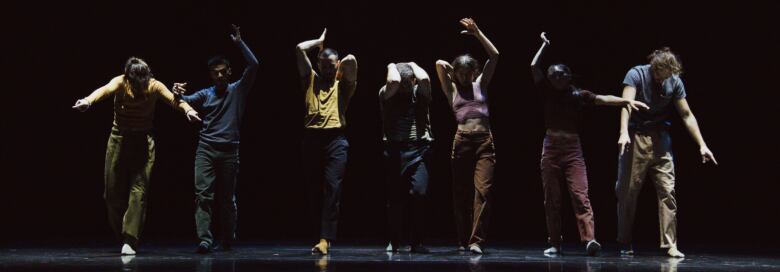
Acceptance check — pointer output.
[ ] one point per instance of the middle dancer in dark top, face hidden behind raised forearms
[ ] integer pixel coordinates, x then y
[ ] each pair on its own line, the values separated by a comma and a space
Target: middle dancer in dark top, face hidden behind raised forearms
404, 102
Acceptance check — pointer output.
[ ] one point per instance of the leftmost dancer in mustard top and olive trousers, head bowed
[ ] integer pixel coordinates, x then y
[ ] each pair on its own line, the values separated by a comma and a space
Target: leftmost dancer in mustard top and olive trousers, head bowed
130, 151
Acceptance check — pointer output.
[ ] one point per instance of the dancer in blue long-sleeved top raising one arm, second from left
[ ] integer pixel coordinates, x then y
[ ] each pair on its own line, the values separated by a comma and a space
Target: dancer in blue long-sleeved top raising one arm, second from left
216, 159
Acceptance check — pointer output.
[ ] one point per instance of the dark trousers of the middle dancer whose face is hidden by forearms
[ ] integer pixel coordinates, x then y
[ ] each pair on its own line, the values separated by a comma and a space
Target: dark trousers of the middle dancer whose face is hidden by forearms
406, 165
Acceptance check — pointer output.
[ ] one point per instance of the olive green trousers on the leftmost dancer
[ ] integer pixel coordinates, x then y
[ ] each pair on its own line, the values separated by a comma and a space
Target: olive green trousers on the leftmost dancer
129, 161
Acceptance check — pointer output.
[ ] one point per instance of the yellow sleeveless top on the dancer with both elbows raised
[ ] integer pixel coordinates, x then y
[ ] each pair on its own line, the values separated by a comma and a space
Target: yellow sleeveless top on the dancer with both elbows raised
324, 109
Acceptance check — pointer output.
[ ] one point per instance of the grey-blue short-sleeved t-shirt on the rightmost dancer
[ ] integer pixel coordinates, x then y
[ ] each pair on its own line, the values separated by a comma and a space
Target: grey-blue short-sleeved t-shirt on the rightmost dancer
658, 97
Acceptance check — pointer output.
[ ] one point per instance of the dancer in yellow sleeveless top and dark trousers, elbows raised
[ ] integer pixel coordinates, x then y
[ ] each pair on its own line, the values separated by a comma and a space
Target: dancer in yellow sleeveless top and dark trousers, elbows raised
327, 94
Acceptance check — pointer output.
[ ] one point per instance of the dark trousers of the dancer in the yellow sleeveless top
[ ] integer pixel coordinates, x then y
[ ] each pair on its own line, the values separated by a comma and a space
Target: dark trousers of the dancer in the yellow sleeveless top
325, 160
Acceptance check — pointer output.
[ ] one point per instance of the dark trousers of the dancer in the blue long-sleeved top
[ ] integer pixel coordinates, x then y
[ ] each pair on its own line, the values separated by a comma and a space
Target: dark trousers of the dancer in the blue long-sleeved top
216, 170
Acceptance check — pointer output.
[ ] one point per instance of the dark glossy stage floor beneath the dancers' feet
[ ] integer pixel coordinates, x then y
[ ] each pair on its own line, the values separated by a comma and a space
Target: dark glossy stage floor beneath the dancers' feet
264, 257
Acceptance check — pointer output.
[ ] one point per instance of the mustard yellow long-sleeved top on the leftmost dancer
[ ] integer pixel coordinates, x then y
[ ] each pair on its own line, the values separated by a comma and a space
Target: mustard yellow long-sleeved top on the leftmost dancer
135, 111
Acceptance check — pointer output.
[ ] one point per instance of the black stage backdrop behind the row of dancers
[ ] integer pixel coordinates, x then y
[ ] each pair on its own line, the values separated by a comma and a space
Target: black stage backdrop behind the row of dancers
52, 156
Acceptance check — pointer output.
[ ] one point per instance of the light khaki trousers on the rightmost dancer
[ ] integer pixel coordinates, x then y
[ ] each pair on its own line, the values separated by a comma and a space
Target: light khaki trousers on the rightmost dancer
649, 155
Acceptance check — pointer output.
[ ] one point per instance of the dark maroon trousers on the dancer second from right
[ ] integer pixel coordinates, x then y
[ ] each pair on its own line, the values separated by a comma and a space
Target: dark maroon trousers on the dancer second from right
562, 161
